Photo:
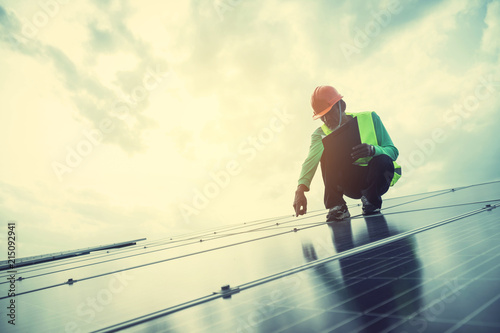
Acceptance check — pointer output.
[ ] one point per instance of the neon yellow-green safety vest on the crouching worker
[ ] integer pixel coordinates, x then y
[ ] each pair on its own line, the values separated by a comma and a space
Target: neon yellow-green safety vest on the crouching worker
367, 135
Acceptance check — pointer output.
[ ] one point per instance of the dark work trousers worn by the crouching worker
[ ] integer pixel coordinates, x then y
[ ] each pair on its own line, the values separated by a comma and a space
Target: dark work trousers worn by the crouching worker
354, 181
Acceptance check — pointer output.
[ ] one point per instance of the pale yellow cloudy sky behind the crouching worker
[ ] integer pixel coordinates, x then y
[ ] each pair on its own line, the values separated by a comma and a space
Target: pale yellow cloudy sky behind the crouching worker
129, 119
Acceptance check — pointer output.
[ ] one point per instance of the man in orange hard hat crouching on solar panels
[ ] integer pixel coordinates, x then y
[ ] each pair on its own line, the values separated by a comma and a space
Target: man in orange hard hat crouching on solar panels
373, 168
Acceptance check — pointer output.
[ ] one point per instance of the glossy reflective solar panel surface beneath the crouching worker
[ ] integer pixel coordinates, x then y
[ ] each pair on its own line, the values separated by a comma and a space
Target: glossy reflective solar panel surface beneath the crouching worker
430, 262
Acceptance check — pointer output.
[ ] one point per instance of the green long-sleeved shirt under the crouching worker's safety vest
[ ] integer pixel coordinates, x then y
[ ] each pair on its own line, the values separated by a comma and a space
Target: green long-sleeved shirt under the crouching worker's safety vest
384, 146
